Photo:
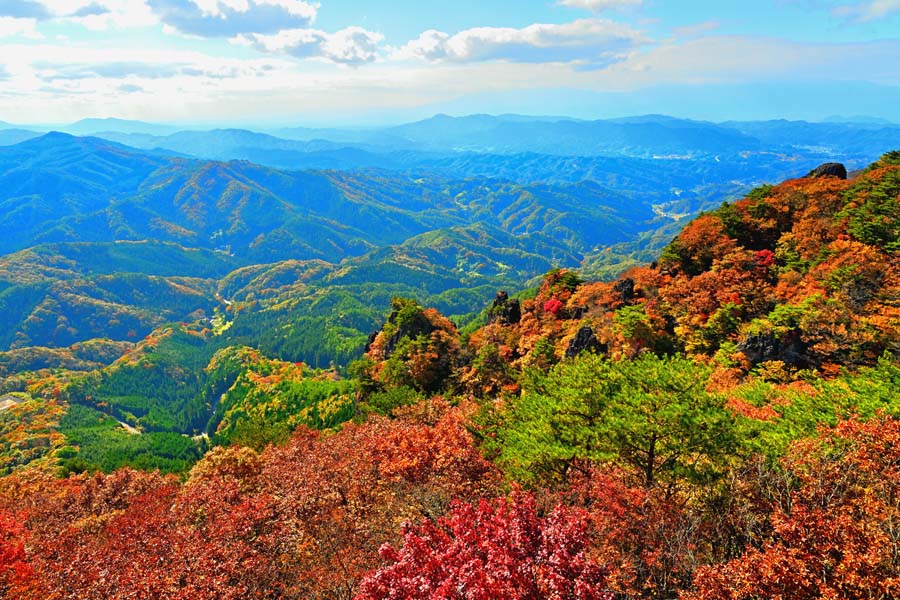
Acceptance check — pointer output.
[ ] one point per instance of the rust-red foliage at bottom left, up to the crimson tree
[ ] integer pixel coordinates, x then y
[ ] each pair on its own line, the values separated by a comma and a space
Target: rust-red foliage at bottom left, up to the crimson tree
303, 520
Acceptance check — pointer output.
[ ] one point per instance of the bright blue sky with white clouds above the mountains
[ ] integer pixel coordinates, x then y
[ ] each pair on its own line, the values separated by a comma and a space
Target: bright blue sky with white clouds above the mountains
358, 62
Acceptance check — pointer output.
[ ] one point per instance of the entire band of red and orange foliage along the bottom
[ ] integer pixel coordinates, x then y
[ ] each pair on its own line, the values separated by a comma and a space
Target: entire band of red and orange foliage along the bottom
307, 520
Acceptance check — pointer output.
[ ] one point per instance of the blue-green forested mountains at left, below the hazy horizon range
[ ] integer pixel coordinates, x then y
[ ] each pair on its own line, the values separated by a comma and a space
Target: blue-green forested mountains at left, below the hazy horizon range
104, 240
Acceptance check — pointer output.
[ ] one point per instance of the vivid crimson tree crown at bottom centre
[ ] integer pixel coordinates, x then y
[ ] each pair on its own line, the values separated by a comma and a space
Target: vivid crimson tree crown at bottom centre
492, 551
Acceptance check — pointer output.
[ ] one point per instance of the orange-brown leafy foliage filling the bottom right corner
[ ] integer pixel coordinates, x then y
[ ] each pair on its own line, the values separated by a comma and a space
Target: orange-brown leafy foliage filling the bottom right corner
836, 536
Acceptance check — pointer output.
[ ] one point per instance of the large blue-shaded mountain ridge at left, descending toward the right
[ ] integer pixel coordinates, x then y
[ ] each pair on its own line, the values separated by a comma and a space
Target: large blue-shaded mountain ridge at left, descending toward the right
63, 189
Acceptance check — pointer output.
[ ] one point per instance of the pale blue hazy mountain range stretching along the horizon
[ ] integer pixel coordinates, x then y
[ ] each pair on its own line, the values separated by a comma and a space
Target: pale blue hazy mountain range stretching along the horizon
648, 136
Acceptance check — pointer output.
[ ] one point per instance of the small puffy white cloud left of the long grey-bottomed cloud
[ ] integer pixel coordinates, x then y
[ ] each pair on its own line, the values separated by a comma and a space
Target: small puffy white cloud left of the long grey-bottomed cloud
350, 46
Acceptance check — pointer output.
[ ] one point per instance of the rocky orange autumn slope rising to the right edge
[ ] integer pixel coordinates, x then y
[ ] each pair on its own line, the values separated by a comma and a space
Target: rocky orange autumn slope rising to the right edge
794, 279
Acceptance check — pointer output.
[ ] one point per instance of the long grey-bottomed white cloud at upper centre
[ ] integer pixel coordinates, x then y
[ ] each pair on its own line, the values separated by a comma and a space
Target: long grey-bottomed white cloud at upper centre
591, 42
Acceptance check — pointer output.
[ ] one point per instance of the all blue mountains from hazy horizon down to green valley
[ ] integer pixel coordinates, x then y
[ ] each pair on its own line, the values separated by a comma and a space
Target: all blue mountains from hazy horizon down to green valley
115, 234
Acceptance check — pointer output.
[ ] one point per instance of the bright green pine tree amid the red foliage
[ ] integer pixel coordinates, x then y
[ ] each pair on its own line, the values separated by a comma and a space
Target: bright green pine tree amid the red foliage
651, 416
